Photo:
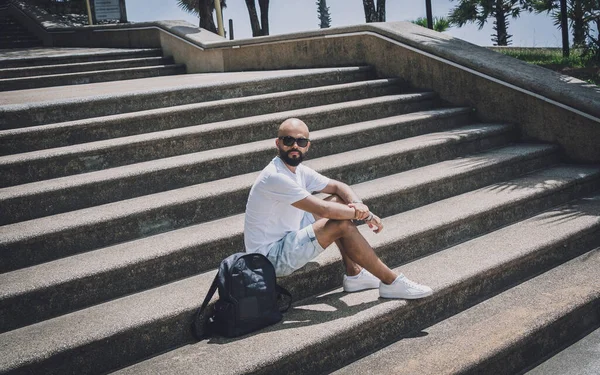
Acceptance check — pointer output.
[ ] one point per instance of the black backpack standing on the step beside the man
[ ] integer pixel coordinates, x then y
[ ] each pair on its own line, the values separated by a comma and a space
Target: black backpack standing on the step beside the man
248, 297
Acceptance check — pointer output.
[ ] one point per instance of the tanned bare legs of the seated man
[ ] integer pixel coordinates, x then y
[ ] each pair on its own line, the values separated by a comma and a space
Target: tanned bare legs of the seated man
356, 251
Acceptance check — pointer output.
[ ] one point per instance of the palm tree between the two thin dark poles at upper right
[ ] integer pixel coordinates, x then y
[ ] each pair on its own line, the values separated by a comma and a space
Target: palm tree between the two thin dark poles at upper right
478, 11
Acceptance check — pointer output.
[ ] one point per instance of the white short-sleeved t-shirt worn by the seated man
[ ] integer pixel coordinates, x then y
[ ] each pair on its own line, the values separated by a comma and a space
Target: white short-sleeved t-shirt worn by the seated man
269, 211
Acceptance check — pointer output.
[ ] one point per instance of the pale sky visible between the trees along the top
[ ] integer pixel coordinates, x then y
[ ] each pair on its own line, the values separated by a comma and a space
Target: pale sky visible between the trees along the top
287, 16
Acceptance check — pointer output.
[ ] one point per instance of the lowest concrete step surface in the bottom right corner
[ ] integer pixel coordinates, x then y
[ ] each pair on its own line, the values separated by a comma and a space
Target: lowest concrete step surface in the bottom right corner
581, 358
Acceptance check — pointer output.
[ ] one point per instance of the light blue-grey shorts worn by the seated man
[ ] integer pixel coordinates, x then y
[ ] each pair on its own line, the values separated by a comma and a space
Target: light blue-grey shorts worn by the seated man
295, 249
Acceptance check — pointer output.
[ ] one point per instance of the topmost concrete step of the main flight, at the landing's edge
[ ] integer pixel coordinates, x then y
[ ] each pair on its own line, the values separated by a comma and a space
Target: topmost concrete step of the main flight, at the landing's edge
197, 88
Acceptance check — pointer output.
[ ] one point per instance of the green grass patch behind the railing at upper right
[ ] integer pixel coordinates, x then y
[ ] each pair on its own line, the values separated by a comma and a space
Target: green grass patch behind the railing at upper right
576, 65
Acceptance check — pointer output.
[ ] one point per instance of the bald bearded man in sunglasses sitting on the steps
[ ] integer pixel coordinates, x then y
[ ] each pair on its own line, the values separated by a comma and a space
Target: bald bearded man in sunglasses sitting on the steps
290, 226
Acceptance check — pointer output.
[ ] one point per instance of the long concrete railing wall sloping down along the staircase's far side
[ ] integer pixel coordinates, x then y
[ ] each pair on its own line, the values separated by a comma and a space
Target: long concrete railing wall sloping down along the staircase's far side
545, 105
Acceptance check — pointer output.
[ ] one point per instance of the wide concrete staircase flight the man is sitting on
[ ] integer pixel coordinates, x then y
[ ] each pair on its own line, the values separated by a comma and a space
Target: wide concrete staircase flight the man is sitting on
119, 202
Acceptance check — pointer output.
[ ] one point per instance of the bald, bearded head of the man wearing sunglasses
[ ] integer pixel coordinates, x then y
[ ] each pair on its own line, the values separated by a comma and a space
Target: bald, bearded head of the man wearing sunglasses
292, 141
